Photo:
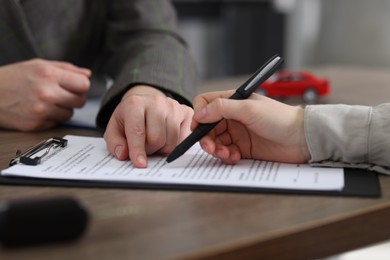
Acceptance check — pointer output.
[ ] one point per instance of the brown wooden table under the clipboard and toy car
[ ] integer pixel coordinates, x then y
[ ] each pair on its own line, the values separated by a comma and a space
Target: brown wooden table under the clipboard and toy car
154, 224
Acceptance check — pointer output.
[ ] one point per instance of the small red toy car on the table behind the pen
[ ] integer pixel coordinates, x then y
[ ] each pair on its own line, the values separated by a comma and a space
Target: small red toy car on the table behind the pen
286, 84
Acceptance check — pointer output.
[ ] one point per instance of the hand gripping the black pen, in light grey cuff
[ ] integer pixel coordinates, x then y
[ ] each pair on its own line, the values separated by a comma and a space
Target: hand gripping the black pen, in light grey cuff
256, 128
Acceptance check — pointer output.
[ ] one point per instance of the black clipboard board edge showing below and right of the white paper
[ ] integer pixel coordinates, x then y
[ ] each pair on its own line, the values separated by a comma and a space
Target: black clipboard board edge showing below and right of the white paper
358, 183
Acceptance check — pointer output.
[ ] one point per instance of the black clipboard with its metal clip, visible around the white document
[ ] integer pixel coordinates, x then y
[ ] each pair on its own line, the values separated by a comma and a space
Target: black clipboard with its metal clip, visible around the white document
357, 182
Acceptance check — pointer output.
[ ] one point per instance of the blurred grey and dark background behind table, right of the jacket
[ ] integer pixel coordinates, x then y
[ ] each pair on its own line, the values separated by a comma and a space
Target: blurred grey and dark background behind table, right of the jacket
234, 37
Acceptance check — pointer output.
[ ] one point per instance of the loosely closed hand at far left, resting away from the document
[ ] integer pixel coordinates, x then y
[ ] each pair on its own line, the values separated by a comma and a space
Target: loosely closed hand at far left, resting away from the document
38, 94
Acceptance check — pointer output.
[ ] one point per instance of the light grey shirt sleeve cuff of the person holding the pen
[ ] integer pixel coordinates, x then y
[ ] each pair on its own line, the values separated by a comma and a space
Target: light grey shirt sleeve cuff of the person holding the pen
349, 136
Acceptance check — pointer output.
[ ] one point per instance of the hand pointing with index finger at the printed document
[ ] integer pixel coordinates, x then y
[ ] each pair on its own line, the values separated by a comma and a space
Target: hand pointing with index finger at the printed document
146, 122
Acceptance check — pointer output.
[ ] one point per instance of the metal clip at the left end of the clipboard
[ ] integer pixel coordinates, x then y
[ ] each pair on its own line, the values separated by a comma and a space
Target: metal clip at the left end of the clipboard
45, 146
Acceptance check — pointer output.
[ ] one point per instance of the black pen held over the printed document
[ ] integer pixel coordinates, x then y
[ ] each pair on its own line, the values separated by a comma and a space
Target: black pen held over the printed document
243, 92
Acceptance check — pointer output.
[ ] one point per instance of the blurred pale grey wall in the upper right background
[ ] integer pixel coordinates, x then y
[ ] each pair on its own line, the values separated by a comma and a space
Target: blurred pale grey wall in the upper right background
338, 31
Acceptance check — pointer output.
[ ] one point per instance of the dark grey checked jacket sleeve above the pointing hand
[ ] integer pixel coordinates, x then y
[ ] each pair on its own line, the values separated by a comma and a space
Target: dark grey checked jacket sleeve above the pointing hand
143, 47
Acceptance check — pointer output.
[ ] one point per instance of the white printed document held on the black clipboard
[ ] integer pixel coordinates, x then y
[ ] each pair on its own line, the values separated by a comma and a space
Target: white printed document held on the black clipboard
86, 158
